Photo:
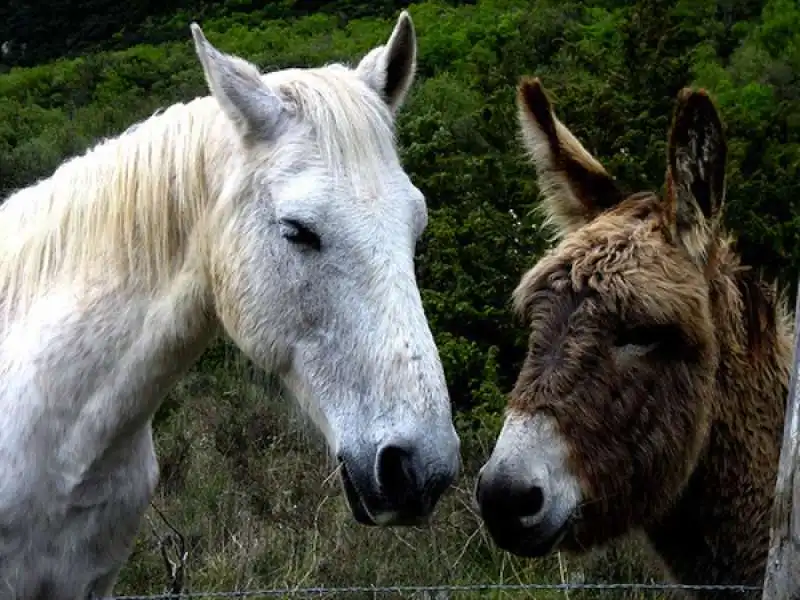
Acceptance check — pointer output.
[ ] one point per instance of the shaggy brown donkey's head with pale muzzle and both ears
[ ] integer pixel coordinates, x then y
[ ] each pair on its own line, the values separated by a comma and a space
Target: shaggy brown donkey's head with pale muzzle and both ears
612, 406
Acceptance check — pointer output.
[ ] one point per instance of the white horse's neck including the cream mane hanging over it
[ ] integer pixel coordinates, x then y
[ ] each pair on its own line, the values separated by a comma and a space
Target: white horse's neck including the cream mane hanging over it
115, 292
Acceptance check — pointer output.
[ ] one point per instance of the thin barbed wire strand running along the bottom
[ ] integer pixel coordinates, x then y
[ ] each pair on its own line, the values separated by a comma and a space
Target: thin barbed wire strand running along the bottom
447, 590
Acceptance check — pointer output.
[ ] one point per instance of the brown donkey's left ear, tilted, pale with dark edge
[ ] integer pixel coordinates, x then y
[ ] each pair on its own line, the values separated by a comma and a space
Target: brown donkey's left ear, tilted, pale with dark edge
575, 186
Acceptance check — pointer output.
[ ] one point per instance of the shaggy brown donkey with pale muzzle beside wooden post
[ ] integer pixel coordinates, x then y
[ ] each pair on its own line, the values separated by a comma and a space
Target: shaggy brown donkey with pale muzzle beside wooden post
652, 395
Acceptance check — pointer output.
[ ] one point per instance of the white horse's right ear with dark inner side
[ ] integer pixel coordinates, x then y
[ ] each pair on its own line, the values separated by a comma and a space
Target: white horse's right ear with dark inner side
390, 69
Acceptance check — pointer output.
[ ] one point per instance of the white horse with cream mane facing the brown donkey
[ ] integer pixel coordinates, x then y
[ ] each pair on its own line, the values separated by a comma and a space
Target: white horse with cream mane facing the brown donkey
275, 208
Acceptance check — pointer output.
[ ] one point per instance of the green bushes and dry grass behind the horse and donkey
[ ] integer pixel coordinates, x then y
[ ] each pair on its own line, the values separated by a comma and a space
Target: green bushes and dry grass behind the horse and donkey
244, 482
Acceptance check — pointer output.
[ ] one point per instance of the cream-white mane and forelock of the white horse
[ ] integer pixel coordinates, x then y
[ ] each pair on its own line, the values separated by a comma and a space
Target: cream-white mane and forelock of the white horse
129, 203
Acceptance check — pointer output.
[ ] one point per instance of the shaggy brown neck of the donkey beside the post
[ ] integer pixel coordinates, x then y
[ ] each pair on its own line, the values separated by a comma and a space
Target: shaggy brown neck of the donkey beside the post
718, 531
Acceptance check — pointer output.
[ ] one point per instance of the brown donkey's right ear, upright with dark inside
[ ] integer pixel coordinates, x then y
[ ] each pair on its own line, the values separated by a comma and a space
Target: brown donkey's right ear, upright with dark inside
695, 187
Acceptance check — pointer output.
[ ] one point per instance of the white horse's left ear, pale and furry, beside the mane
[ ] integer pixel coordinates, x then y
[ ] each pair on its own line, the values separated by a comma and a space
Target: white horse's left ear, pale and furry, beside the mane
254, 109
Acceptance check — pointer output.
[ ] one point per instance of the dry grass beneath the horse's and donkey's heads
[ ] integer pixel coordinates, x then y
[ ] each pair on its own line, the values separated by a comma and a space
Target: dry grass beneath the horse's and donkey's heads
246, 483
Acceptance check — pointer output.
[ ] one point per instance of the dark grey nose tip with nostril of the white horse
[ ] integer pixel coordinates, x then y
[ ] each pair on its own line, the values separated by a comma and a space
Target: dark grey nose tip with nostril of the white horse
411, 482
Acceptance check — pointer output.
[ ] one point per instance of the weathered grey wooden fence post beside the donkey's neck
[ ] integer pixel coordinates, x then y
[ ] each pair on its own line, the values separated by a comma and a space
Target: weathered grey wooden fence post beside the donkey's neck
782, 580
